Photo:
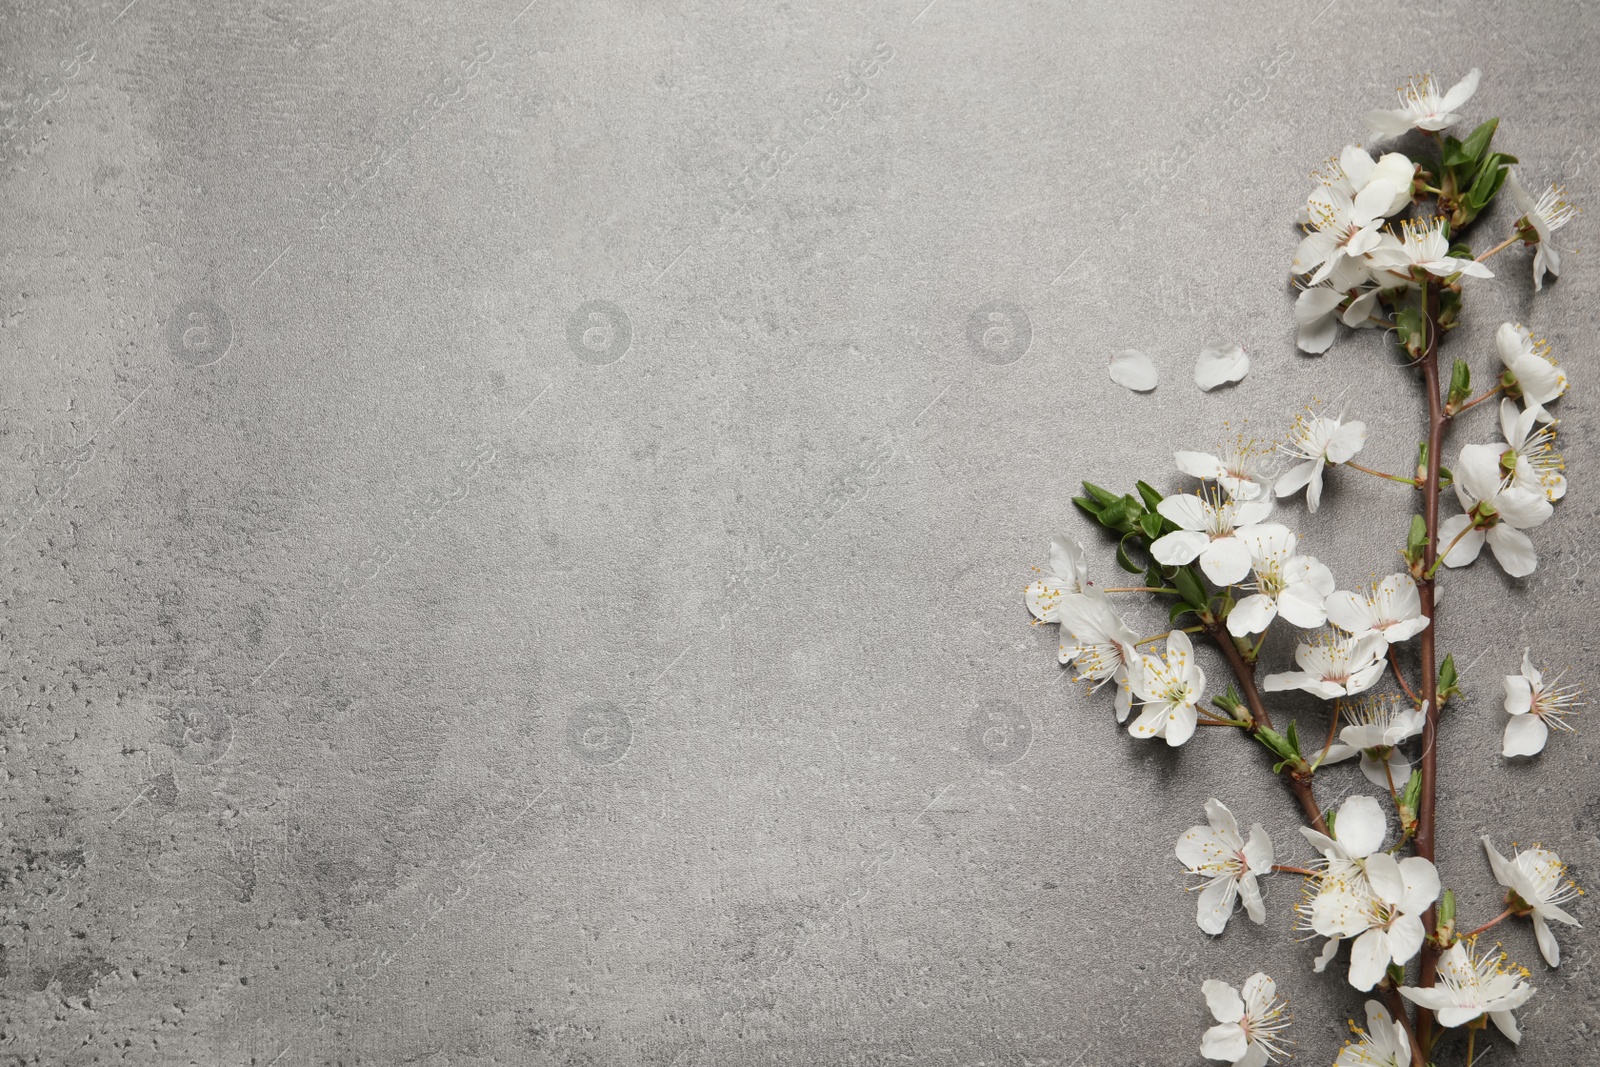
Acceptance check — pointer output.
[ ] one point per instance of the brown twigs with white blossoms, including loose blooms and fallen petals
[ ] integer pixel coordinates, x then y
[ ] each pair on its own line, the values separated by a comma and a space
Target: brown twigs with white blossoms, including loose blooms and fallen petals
1361, 265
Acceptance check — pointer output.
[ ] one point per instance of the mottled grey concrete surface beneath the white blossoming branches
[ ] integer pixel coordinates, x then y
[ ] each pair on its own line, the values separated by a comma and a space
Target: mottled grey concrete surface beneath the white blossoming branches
473, 596
